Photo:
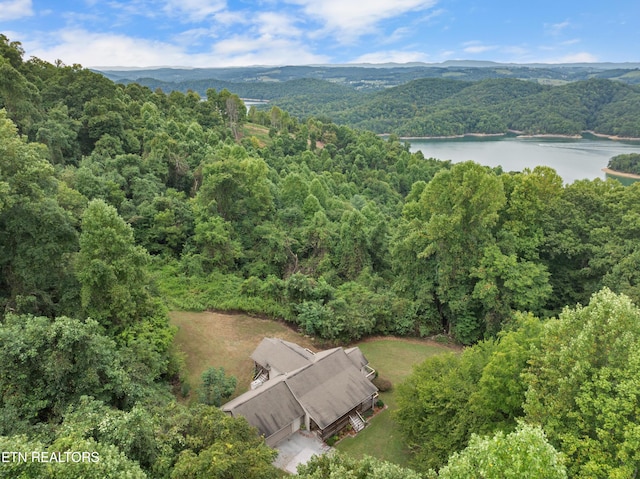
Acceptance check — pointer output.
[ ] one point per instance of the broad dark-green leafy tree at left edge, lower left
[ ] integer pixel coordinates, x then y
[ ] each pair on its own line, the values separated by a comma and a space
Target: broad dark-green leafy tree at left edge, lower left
46, 365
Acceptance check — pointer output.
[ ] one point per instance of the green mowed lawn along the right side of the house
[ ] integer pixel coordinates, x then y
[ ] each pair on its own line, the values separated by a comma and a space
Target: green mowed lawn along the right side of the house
394, 359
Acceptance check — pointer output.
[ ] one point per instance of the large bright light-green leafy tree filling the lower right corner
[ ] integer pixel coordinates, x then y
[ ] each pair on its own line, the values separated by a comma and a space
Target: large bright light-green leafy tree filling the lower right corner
584, 388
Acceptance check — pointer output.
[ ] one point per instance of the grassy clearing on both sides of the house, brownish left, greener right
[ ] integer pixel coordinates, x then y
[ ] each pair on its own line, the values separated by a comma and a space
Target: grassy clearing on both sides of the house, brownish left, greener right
227, 340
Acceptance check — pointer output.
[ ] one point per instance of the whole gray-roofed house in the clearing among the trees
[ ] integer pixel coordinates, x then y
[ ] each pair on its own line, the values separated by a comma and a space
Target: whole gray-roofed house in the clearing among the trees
295, 387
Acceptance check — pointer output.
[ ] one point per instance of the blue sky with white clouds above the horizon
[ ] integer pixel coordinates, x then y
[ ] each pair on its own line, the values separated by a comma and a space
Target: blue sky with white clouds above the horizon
215, 33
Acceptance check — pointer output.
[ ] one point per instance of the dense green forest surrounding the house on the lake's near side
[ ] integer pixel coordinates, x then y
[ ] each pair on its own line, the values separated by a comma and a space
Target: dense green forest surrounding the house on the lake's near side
117, 202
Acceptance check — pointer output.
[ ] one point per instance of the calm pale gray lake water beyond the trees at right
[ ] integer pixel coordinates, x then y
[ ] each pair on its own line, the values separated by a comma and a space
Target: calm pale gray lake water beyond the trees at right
572, 159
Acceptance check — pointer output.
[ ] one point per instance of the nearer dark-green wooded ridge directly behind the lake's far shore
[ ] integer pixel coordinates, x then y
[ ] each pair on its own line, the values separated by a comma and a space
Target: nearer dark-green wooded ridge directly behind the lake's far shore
445, 107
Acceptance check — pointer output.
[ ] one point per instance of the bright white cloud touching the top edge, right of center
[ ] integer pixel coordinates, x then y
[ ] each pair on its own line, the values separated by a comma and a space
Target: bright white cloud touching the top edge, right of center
350, 19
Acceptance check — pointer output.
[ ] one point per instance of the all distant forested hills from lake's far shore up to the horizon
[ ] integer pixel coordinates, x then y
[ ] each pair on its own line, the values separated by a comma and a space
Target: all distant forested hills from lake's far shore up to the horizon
434, 102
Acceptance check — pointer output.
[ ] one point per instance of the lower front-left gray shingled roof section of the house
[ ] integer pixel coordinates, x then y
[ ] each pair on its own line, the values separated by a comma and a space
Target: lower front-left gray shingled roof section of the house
269, 408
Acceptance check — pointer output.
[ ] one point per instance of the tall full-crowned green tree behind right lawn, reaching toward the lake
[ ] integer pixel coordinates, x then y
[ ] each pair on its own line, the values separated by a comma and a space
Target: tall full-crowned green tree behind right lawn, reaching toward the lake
456, 214
